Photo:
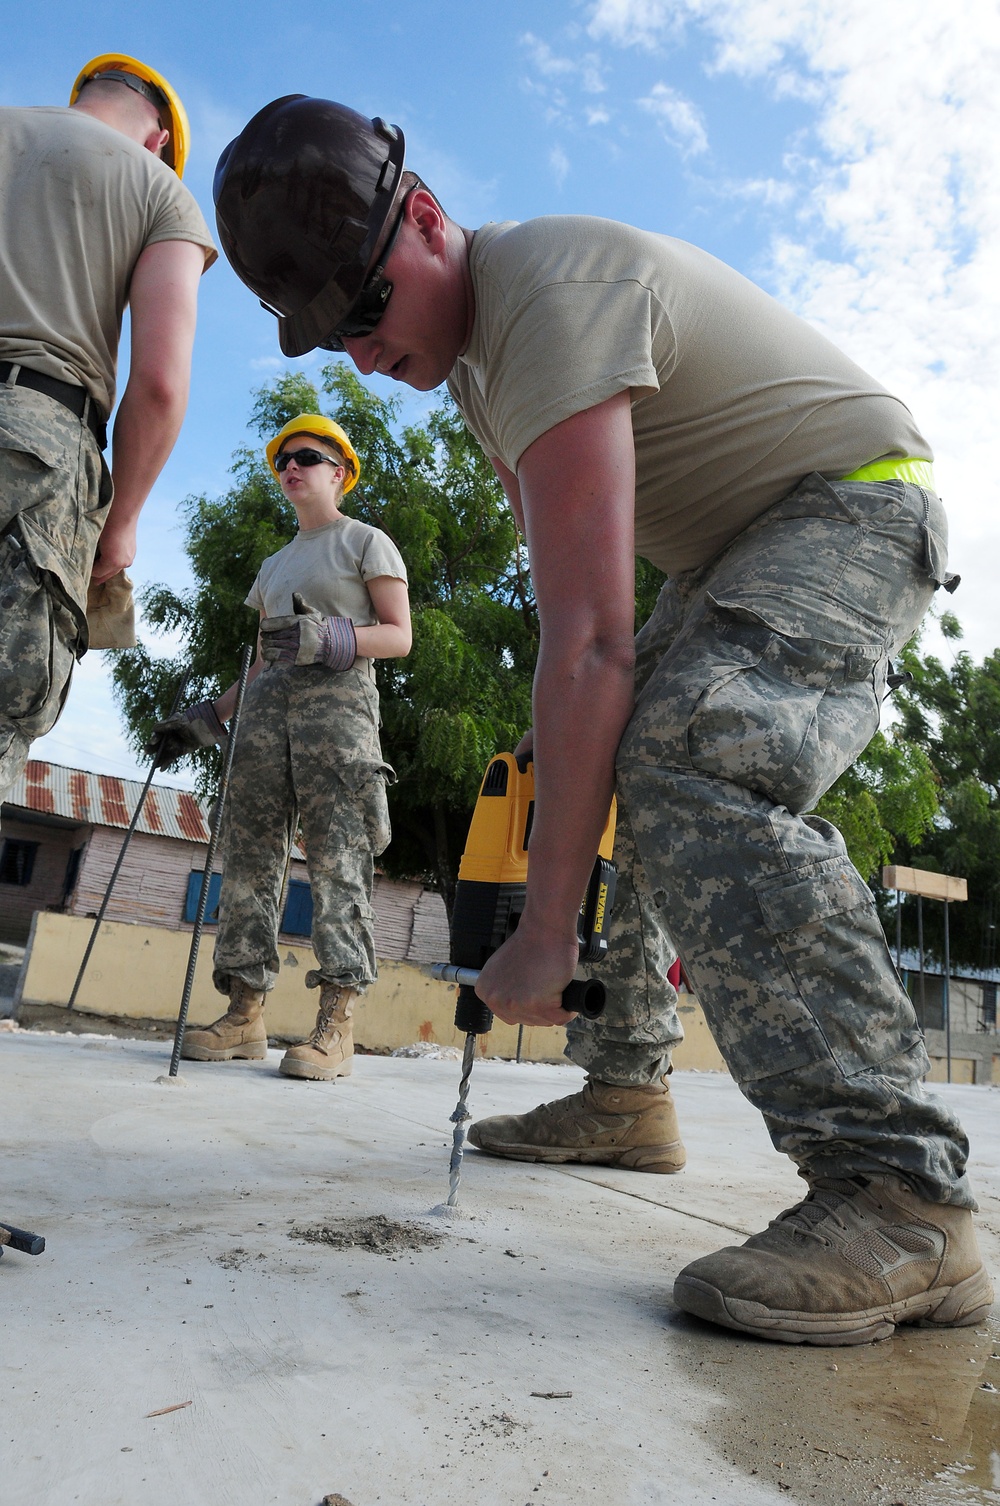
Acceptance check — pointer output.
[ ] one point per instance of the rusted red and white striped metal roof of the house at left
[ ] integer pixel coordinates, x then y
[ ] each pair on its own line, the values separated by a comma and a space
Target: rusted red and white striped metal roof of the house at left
105, 800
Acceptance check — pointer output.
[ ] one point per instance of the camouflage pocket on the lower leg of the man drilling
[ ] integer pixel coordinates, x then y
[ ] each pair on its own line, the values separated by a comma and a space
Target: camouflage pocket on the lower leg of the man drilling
835, 950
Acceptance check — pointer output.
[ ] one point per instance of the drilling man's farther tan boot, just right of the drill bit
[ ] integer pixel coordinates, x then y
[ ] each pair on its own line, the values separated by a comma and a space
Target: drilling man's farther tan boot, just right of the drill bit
603, 1126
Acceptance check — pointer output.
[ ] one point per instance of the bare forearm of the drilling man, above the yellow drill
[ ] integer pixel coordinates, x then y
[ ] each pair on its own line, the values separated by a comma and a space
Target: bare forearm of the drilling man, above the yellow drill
582, 703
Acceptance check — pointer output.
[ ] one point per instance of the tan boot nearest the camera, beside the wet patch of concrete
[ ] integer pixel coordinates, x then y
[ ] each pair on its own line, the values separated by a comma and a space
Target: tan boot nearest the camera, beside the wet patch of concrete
846, 1266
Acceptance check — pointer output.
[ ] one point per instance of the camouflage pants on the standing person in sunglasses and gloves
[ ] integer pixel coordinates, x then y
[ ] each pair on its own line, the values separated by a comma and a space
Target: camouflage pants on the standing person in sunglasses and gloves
308, 751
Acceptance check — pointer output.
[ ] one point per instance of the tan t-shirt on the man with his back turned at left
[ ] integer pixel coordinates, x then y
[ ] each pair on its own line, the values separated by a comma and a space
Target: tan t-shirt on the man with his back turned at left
81, 204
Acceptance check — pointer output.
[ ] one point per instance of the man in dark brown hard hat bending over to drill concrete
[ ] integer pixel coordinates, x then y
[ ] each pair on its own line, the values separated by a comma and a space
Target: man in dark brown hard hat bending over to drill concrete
636, 395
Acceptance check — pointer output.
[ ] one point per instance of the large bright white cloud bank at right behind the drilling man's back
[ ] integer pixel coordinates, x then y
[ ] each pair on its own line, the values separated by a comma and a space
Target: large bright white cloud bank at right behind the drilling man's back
891, 240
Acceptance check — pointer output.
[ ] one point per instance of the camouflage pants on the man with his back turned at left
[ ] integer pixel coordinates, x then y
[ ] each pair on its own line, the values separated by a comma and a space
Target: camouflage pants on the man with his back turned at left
55, 493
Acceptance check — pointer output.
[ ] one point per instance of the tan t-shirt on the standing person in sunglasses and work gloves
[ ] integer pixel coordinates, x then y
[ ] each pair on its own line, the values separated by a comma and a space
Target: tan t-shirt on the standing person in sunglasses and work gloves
329, 567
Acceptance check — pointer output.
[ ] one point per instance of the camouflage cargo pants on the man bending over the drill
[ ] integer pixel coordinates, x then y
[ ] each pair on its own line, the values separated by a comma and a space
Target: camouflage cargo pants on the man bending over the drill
760, 681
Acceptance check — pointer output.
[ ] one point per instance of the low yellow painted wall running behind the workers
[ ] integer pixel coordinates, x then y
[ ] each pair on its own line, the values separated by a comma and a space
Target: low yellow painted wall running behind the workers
138, 974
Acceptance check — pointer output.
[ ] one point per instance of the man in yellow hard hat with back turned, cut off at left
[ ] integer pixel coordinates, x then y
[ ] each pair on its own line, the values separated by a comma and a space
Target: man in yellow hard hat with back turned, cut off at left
96, 219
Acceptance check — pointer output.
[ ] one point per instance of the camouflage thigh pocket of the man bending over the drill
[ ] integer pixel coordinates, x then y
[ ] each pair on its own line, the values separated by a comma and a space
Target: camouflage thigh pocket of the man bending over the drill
794, 719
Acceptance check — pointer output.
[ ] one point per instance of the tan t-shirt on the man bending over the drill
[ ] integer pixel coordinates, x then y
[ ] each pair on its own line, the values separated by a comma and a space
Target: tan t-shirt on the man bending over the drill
734, 398
